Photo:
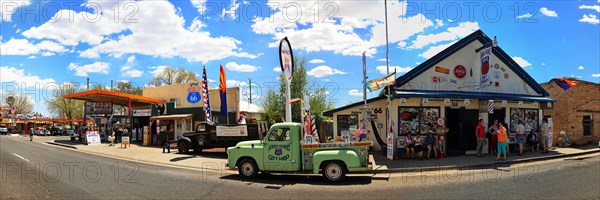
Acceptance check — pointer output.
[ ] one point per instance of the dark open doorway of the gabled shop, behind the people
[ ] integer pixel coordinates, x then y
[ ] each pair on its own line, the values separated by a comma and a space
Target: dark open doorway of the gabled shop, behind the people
461, 136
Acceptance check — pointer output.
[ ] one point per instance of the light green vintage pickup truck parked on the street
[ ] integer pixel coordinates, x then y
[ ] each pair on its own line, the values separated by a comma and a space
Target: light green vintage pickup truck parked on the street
282, 151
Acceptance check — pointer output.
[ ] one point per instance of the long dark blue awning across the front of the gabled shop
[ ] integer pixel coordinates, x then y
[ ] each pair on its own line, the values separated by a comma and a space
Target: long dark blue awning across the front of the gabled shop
470, 95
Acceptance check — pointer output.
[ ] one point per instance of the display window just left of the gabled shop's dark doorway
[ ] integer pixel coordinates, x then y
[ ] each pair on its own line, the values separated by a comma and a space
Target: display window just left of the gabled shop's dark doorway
414, 119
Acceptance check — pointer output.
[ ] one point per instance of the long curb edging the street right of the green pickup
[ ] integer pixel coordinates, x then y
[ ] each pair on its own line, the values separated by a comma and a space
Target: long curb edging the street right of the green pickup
484, 165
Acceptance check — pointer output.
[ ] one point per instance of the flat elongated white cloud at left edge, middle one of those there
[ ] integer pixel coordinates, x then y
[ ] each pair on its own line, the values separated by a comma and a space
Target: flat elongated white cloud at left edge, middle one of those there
23, 47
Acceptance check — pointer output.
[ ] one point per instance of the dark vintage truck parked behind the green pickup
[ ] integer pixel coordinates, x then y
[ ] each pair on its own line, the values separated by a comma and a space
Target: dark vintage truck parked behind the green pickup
210, 135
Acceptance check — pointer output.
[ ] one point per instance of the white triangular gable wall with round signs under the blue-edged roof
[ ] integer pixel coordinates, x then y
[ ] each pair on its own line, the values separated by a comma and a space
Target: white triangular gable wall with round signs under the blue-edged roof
470, 60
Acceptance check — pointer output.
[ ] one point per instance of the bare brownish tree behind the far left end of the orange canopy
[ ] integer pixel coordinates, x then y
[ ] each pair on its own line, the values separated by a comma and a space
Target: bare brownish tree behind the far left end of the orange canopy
65, 108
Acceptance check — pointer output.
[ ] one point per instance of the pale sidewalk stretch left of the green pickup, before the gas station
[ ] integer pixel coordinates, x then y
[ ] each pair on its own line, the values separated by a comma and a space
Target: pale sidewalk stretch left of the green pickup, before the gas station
210, 159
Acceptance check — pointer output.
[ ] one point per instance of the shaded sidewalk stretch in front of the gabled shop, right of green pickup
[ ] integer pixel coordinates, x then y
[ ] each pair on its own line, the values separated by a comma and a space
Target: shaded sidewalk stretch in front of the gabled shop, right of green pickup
471, 161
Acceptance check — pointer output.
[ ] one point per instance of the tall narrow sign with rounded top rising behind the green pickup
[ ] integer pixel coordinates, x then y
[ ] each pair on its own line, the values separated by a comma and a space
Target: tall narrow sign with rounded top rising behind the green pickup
286, 60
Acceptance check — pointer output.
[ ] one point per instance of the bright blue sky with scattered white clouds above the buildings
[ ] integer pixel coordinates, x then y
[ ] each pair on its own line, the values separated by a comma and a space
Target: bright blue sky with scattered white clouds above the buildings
54, 42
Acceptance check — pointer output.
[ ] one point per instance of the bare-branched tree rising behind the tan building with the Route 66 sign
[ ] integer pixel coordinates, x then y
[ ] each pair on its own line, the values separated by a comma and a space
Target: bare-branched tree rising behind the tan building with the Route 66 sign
170, 76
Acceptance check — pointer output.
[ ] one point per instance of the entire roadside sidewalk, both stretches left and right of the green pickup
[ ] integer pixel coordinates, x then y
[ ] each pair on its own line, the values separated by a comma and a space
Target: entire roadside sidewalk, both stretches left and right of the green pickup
216, 160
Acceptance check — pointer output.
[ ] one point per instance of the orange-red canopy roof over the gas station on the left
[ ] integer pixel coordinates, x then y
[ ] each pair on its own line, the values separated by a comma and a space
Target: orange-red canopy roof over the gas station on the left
116, 98
